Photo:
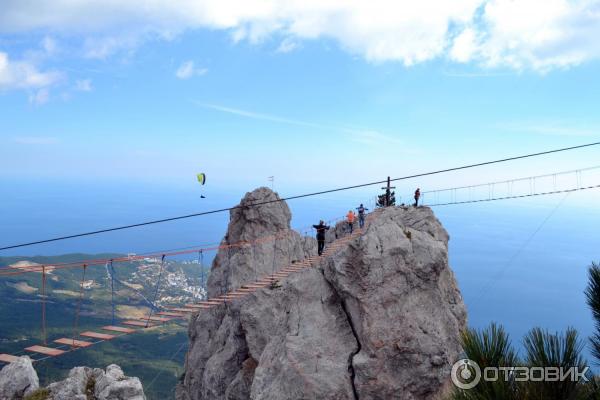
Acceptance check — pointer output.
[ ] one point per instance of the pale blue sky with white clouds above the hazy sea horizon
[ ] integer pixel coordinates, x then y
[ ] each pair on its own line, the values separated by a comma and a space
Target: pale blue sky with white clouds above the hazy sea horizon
319, 94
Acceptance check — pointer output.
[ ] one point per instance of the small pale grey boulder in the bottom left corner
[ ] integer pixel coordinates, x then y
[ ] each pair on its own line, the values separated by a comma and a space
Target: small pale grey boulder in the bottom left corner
18, 379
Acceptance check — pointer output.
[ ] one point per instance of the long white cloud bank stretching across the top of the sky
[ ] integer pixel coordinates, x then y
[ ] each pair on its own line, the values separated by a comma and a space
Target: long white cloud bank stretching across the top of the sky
491, 33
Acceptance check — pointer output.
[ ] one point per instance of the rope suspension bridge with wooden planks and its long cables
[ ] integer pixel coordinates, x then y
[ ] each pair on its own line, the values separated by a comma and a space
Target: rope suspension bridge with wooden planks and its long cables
540, 185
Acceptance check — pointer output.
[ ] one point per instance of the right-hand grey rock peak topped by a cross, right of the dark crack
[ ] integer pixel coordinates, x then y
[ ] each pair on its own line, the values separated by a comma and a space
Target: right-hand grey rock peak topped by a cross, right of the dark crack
402, 301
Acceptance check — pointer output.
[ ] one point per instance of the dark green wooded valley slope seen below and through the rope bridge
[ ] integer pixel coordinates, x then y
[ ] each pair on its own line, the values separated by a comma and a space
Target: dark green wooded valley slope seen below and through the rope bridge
146, 355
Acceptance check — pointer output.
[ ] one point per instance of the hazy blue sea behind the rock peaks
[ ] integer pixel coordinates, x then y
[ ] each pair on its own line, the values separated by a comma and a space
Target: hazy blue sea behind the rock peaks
521, 263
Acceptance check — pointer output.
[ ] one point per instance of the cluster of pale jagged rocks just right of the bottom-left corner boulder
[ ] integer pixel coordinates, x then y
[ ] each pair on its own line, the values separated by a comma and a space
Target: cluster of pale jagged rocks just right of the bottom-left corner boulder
111, 384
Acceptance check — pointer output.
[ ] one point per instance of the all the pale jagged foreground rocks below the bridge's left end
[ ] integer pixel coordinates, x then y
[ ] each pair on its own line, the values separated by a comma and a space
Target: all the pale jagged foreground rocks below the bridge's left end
18, 380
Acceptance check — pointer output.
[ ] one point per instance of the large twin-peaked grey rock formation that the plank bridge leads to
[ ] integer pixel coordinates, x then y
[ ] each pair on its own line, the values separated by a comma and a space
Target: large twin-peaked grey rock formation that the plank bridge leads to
379, 318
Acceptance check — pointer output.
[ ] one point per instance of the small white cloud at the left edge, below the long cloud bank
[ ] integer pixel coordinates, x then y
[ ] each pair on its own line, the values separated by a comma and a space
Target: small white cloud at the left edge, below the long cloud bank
24, 75
